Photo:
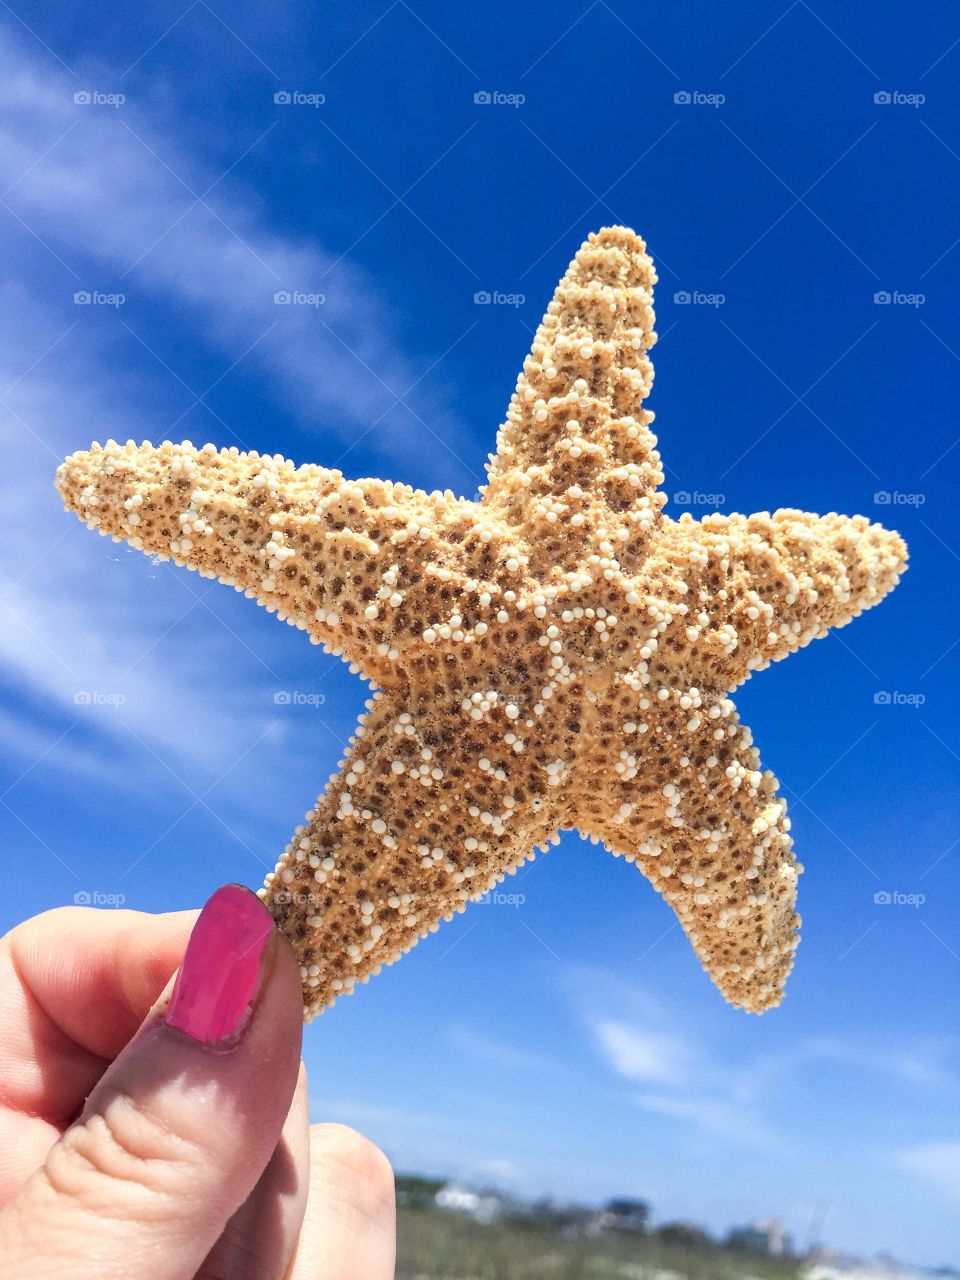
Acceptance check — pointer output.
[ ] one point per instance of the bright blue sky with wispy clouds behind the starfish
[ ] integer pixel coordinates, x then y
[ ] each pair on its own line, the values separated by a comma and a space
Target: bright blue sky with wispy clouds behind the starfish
568, 1041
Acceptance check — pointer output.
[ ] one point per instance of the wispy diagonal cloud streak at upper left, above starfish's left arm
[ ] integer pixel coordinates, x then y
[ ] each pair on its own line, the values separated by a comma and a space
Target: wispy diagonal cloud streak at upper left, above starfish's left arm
111, 200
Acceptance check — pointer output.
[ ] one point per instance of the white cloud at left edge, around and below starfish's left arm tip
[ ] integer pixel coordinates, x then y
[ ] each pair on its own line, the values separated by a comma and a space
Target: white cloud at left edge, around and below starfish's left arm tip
76, 621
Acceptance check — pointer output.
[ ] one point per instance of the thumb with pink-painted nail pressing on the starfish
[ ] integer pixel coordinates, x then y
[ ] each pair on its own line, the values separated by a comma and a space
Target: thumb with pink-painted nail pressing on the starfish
181, 1127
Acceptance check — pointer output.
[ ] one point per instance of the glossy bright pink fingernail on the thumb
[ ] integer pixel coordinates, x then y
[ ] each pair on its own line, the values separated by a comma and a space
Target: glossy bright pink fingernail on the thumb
222, 971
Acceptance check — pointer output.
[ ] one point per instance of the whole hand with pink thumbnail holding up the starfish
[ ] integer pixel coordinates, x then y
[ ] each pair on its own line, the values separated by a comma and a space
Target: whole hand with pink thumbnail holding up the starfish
191, 1155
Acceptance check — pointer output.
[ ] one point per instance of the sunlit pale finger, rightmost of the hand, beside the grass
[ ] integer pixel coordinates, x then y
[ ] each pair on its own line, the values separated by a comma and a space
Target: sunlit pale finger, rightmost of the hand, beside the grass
350, 1226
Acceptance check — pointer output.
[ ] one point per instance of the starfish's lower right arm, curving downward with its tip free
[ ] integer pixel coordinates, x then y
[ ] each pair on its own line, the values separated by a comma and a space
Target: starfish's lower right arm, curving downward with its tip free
714, 840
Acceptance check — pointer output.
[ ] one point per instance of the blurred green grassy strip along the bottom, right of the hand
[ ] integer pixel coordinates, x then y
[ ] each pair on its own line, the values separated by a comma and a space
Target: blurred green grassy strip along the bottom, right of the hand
446, 1247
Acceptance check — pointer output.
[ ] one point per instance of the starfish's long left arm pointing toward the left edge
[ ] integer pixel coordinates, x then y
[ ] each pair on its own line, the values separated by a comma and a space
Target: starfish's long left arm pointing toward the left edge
355, 564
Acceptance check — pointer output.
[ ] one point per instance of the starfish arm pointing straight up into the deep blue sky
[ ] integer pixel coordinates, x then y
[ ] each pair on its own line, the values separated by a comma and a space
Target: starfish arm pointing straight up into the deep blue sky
577, 455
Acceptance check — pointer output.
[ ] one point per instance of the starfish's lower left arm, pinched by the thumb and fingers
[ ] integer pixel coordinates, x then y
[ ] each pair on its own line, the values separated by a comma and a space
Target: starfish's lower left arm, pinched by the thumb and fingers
427, 815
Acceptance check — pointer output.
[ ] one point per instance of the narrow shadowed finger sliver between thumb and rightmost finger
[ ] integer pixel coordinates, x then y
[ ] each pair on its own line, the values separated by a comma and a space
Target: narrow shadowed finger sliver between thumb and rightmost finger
262, 1236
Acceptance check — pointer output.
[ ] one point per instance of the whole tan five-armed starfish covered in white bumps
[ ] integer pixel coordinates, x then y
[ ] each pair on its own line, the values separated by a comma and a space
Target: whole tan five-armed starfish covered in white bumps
557, 655
